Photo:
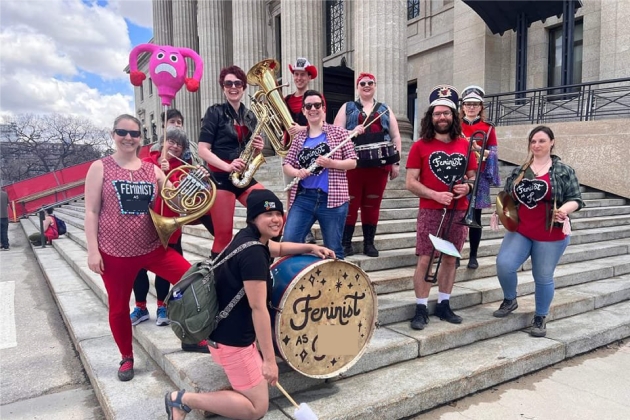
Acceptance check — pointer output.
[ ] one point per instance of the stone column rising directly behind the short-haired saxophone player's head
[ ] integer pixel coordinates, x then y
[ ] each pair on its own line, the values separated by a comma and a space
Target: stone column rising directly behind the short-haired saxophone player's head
215, 47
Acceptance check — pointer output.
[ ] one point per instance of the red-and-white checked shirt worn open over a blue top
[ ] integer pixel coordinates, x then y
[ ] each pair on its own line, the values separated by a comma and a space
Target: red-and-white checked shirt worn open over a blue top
337, 181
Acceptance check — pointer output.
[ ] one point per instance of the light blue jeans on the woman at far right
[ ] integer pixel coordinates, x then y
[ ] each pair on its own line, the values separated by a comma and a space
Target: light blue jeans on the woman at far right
515, 249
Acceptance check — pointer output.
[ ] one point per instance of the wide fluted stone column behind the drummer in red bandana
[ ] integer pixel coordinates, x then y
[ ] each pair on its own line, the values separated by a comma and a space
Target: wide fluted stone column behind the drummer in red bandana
380, 40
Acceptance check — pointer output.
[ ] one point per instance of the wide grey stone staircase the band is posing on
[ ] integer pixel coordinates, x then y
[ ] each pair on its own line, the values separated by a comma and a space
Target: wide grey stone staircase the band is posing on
403, 372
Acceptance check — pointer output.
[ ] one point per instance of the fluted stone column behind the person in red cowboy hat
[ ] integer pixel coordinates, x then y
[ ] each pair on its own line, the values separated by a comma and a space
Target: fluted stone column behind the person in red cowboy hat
302, 36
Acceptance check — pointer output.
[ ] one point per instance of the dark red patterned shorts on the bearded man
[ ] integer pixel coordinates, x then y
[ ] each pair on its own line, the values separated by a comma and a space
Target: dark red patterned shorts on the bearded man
428, 222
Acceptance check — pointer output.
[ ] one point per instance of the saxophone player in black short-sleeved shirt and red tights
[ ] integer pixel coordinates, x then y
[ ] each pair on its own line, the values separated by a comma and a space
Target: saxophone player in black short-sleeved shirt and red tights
225, 131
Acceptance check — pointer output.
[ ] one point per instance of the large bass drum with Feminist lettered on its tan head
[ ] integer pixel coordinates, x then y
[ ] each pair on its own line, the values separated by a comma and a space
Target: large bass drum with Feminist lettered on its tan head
324, 314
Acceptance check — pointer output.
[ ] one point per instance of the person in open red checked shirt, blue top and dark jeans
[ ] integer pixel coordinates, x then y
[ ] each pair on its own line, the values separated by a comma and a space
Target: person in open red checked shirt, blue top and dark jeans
321, 195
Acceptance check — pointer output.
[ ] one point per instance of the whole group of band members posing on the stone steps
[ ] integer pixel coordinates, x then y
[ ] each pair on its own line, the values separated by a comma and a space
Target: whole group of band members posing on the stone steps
339, 169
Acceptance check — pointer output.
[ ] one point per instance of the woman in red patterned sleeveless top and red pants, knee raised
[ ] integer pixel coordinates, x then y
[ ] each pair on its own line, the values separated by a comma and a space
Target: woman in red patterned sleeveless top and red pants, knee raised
121, 237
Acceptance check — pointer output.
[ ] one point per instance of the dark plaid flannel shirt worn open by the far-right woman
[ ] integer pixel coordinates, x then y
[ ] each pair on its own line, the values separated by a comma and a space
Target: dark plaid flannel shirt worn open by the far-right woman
564, 184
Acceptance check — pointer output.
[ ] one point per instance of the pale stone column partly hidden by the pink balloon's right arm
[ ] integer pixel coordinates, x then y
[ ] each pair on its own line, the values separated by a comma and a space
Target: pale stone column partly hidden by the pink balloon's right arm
185, 35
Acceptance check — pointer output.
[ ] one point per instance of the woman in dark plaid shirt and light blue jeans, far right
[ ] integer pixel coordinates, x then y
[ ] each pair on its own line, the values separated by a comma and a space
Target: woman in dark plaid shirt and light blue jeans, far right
546, 192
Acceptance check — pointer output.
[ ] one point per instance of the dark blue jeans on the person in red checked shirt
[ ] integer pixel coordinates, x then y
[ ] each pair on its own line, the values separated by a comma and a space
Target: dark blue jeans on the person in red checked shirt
310, 205
